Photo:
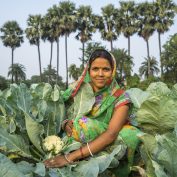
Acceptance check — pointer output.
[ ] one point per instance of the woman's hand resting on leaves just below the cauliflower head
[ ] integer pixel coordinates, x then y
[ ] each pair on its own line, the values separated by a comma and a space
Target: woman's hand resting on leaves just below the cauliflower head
56, 162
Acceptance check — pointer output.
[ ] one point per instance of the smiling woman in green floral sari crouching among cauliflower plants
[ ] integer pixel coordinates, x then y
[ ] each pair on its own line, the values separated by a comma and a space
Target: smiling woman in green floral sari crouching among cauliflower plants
100, 126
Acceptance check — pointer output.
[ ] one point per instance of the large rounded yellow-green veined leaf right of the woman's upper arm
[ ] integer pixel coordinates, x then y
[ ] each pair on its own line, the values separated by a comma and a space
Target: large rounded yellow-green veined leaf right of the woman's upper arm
157, 114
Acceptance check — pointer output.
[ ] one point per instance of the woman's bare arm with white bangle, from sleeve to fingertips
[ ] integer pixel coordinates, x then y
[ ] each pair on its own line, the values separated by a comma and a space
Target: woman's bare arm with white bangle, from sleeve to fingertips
116, 123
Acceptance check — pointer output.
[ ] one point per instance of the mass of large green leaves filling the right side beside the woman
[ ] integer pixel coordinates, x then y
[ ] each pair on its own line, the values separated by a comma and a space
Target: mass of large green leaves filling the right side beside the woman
157, 117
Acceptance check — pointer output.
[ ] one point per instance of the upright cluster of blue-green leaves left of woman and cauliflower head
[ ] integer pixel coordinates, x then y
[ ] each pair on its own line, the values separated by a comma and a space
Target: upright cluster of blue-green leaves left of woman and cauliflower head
27, 116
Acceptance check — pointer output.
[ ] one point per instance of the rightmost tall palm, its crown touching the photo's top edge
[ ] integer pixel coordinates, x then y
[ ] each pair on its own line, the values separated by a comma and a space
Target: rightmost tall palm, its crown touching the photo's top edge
165, 13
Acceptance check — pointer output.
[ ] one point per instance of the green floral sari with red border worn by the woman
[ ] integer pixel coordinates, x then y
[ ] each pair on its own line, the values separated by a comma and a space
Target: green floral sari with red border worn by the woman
94, 119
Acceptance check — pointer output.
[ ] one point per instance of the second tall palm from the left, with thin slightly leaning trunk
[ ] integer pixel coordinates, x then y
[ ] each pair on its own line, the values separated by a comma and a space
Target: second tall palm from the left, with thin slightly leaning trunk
33, 34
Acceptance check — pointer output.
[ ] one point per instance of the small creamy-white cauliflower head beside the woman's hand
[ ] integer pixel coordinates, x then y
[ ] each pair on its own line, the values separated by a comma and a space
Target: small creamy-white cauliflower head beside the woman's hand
53, 144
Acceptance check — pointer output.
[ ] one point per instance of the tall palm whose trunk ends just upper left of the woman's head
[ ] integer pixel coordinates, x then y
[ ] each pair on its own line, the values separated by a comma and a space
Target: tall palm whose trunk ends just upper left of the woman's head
85, 26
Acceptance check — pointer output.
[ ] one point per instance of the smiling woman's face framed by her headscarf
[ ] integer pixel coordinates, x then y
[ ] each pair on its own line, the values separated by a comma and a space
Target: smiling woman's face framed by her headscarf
100, 73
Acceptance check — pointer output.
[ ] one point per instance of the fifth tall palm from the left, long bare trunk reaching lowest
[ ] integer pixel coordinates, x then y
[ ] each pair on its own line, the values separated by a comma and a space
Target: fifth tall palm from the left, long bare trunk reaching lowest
68, 25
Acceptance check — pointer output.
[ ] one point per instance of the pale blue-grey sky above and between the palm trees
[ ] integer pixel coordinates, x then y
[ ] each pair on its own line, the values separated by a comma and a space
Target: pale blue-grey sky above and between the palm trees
27, 55
